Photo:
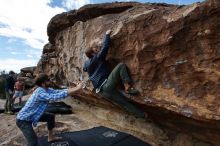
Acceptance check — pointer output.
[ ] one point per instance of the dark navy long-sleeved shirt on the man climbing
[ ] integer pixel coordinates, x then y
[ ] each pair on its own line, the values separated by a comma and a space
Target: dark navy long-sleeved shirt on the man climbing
97, 65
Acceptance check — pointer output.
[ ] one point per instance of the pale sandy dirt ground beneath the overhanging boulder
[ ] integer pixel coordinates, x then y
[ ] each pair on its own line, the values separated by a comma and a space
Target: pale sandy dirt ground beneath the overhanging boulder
84, 117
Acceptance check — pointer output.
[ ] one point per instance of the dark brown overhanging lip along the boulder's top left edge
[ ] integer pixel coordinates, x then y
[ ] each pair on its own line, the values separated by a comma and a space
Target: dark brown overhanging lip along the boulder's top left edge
84, 14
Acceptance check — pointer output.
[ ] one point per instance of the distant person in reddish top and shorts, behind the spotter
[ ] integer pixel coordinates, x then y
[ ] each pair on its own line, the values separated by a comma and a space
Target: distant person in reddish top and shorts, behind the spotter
19, 89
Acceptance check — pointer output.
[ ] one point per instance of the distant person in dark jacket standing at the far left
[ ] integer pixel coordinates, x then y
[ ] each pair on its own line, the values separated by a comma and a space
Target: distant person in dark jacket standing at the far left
9, 88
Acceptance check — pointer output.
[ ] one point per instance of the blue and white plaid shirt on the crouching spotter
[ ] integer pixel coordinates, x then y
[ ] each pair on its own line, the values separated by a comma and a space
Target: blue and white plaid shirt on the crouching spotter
37, 103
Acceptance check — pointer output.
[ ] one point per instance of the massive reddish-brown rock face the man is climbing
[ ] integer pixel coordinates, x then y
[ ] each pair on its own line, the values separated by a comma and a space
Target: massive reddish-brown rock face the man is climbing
173, 53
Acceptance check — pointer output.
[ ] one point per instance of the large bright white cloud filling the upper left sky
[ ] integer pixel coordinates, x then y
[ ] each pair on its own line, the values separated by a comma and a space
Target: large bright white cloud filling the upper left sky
27, 20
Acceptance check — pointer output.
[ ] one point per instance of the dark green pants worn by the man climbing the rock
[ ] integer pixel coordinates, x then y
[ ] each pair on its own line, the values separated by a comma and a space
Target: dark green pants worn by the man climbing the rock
110, 92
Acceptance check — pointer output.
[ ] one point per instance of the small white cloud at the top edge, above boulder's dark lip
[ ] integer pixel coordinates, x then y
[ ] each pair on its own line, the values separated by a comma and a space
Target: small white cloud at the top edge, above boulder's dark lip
75, 4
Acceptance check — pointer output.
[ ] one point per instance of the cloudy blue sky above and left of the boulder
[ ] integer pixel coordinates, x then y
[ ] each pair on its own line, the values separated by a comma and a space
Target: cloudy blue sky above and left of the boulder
23, 25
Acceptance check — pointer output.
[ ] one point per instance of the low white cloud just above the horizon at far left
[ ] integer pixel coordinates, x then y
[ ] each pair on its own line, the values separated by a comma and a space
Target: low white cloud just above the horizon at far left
16, 65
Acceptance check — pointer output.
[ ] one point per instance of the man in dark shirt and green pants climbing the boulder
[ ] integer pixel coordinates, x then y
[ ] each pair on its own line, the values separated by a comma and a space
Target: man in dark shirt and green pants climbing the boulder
105, 81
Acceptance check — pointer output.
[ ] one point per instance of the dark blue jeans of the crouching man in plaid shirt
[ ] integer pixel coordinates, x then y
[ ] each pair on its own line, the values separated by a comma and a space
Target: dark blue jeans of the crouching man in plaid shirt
28, 131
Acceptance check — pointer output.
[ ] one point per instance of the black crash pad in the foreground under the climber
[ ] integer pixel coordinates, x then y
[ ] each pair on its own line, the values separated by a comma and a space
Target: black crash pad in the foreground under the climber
98, 136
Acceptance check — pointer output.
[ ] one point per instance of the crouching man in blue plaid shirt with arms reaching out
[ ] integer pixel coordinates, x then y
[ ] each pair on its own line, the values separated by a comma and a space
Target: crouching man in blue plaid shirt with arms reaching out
33, 111
